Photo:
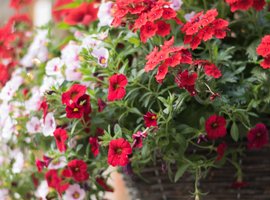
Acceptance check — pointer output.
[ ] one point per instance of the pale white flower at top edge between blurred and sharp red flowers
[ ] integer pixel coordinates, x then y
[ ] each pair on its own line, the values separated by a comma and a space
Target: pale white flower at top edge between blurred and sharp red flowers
105, 14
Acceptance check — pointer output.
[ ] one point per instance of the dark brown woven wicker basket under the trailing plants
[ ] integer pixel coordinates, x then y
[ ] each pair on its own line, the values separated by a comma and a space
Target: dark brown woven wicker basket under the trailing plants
256, 169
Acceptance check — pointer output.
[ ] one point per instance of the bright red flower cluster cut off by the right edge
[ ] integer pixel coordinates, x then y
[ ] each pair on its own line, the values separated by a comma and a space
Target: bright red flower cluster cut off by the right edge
264, 50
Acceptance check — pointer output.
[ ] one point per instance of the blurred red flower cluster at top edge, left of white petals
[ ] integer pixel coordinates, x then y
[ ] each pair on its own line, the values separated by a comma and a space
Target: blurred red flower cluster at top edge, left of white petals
84, 14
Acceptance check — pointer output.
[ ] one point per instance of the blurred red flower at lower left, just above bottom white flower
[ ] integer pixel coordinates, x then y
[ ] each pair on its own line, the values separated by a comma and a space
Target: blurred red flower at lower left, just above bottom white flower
56, 182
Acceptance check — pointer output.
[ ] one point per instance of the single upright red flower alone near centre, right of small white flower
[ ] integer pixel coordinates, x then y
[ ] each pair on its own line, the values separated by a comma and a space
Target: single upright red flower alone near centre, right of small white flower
117, 85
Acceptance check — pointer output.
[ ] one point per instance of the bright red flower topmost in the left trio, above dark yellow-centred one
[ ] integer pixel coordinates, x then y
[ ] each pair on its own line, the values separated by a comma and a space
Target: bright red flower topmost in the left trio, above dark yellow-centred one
73, 94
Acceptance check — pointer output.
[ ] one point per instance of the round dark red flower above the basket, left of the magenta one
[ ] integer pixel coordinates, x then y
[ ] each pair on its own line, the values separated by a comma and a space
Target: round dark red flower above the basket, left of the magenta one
215, 127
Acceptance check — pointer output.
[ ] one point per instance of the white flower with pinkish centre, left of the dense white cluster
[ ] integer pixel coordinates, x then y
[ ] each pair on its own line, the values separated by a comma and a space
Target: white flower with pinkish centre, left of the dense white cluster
54, 66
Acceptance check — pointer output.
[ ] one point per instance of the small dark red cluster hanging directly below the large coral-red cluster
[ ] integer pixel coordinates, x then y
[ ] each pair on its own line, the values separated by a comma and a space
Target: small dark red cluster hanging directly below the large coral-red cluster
187, 81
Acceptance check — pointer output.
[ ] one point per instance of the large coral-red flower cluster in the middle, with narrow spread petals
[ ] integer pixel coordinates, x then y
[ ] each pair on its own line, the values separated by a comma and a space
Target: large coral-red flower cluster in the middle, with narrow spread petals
167, 56
